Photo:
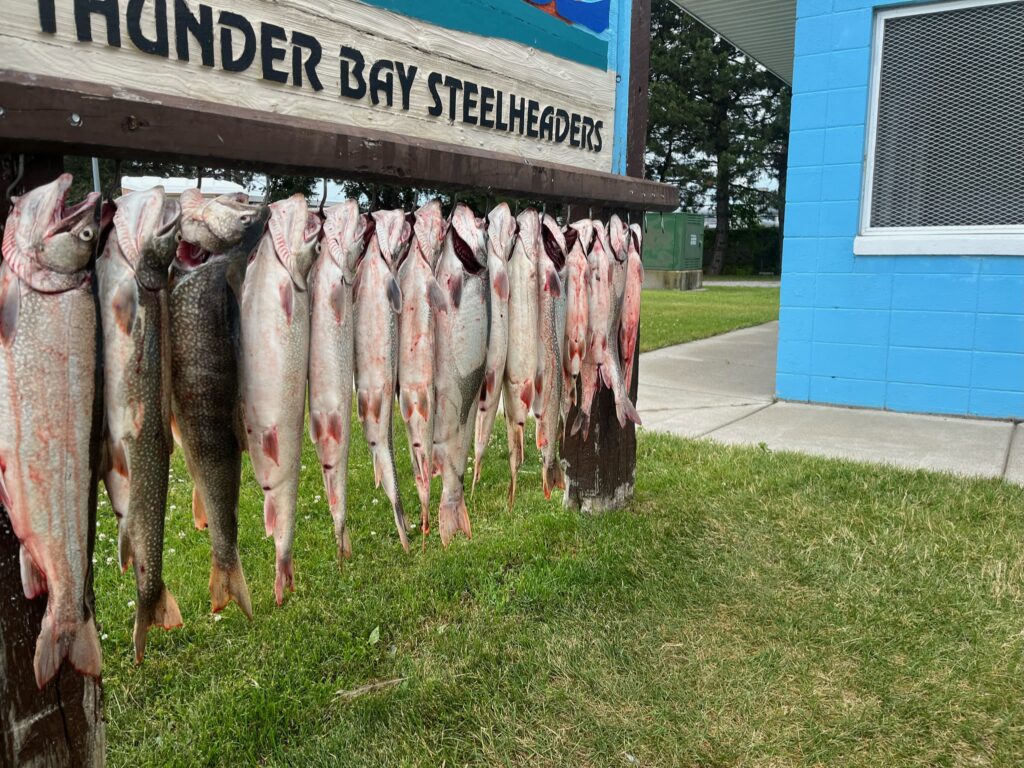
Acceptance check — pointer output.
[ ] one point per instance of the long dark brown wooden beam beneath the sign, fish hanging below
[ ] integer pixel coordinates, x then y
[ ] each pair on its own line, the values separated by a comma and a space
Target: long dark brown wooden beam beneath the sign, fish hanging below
44, 114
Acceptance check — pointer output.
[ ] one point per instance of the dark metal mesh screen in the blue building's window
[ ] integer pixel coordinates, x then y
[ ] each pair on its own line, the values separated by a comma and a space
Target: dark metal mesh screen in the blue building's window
950, 138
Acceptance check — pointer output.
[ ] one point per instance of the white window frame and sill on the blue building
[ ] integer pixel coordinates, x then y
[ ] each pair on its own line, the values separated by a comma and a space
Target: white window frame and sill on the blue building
921, 241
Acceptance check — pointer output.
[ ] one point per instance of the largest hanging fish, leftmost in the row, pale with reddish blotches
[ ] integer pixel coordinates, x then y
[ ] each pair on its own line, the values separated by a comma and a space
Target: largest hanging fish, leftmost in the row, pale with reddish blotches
49, 373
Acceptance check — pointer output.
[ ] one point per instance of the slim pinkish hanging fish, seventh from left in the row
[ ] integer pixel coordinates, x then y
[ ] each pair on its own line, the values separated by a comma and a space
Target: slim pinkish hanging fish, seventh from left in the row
422, 298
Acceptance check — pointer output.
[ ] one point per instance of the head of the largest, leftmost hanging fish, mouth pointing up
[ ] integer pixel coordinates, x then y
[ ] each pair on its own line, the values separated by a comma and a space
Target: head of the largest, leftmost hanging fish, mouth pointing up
51, 235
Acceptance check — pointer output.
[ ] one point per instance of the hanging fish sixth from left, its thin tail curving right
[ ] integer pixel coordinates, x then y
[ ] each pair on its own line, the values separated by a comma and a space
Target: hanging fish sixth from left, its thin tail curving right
377, 301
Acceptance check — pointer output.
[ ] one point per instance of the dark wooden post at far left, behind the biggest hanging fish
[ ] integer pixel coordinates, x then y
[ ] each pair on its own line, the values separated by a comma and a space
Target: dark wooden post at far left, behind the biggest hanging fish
61, 726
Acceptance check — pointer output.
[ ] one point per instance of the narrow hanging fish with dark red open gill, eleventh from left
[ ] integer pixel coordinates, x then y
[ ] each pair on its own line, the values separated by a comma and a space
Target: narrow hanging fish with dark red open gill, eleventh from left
549, 382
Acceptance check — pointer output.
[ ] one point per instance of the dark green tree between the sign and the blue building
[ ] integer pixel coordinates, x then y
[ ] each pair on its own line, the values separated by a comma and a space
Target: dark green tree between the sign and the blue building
719, 124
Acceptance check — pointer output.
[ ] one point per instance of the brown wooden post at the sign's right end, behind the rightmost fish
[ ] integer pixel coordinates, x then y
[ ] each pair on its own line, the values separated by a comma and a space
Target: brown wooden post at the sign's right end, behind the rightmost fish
601, 472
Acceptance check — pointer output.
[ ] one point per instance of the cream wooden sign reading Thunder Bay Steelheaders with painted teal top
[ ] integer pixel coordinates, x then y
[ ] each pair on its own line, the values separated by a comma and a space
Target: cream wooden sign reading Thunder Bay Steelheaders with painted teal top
502, 76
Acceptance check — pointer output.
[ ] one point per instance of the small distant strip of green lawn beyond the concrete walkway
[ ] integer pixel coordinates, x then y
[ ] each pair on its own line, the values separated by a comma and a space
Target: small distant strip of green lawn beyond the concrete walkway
669, 318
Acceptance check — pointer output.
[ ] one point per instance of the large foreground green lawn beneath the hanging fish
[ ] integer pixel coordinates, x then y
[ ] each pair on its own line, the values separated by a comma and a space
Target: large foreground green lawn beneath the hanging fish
748, 609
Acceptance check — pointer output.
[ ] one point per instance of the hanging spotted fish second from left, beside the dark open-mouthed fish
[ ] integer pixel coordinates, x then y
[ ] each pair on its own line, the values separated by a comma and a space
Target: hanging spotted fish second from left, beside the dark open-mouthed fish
133, 281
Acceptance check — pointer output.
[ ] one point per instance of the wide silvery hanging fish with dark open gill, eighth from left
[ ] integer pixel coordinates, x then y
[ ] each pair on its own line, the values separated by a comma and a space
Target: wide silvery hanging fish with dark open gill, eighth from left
460, 360
